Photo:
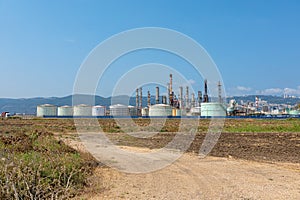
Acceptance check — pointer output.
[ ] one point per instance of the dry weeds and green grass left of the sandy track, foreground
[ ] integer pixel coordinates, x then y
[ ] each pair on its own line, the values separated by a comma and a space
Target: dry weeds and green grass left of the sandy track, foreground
33, 165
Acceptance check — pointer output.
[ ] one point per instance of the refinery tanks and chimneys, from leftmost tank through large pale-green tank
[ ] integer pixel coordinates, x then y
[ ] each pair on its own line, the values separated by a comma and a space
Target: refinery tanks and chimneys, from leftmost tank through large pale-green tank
165, 106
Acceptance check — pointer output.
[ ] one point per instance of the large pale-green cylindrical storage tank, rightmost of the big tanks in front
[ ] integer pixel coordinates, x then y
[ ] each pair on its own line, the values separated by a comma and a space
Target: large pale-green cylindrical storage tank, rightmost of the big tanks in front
213, 109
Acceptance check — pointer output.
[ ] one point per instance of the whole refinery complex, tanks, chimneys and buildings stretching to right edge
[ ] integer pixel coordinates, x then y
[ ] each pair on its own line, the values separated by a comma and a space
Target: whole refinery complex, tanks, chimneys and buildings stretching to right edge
173, 105
